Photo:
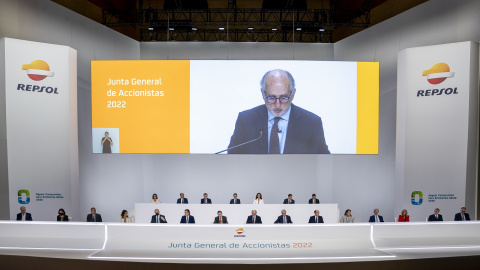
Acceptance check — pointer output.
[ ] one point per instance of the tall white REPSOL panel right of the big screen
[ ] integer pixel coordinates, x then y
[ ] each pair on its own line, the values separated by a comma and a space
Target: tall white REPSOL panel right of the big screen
436, 128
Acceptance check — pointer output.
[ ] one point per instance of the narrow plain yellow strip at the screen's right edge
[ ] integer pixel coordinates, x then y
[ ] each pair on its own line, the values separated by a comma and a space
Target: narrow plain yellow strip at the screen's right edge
367, 107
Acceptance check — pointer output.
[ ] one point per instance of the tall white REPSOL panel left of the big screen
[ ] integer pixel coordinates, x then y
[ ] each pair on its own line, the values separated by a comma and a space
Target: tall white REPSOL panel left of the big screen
41, 125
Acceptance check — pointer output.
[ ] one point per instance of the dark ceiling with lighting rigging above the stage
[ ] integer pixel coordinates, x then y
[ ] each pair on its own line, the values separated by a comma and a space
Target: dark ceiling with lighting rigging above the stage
314, 21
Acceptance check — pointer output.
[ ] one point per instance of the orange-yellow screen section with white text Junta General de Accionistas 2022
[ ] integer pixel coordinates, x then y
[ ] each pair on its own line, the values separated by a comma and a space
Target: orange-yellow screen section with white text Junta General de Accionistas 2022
146, 124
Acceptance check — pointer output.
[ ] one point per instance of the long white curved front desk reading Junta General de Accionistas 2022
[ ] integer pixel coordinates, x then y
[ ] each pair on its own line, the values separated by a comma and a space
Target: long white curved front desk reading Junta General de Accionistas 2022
240, 244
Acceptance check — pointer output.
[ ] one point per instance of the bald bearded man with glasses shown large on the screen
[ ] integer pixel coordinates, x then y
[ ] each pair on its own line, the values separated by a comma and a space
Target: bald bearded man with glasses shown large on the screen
278, 127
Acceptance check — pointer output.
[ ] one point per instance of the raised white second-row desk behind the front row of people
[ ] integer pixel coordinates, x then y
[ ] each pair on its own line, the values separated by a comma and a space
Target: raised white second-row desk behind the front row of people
236, 213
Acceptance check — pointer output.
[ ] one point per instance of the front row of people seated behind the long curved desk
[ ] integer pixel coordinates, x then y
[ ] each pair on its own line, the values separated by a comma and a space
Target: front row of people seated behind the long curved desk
284, 218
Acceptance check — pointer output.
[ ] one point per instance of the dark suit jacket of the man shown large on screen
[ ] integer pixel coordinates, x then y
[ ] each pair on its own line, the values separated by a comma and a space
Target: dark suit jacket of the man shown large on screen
304, 132
